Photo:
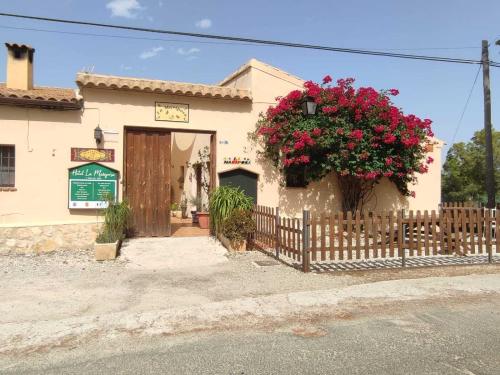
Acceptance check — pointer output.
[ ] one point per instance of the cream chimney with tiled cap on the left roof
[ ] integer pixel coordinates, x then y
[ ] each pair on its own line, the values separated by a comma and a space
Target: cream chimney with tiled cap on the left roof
19, 66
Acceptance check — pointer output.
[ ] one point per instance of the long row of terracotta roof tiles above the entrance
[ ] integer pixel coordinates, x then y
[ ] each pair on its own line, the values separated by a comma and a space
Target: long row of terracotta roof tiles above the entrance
158, 86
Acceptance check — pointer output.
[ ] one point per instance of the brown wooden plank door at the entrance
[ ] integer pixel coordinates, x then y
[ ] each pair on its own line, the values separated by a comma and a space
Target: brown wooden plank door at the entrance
147, 181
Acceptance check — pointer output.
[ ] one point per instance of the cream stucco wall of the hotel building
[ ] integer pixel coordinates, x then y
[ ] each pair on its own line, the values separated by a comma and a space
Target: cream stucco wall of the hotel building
43, 140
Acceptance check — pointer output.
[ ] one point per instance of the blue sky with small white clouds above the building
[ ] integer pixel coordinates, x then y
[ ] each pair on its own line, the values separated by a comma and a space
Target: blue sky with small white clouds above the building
432, 90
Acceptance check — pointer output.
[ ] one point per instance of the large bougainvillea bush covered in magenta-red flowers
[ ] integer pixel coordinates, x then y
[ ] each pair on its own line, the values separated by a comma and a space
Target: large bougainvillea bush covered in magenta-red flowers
357, 133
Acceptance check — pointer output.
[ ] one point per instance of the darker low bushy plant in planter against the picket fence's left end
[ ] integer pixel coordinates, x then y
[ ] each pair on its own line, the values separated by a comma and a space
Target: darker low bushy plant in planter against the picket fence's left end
236, 229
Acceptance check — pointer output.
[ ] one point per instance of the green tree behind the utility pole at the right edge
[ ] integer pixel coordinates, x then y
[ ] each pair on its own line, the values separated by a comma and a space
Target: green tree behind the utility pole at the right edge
464, 171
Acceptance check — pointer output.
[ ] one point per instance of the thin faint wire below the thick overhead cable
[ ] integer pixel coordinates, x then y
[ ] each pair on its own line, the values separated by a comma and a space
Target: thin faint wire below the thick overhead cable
64, 32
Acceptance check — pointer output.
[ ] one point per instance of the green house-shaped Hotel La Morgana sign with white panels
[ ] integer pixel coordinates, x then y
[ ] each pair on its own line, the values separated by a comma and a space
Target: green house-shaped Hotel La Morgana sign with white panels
92, 186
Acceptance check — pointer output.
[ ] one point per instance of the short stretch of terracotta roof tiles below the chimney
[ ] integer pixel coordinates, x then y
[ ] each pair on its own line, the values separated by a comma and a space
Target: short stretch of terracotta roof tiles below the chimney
42, 94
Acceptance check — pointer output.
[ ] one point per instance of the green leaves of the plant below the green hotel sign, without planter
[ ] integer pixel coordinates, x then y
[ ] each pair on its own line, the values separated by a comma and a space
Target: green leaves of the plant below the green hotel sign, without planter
116, 217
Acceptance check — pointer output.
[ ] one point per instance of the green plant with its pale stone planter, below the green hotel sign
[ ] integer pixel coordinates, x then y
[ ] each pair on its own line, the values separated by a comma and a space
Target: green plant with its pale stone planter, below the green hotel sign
109, 239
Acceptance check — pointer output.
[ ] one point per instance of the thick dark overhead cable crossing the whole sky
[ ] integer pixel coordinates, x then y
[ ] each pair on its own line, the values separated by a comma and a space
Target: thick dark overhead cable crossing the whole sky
255, 41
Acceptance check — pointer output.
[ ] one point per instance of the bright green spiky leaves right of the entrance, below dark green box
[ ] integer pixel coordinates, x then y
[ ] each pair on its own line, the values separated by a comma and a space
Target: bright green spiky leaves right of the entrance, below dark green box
223, 201
